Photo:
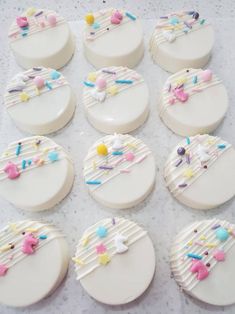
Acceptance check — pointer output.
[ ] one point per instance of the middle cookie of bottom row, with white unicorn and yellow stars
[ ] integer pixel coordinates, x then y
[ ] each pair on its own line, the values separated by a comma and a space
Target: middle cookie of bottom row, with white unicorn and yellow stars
109, 261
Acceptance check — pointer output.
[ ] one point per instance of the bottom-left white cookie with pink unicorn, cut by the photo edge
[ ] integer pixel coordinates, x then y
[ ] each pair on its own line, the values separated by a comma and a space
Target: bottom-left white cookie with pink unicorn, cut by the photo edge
34, 260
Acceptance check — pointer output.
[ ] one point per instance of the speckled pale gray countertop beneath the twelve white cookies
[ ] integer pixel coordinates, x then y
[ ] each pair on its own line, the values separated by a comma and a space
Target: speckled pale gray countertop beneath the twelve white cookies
160, 213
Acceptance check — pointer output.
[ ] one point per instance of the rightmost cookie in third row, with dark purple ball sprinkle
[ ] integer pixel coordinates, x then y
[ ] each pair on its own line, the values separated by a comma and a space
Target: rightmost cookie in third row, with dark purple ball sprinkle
200, 171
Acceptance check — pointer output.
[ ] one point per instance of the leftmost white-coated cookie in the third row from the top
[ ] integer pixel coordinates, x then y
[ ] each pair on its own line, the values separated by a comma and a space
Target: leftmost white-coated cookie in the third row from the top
35, 173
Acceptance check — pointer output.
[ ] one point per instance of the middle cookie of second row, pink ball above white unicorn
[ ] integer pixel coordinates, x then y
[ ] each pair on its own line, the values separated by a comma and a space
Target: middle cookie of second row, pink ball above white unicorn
116, 99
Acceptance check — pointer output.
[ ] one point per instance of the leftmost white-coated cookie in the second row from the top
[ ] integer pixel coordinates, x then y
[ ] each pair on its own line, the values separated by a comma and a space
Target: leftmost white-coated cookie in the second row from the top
40, 100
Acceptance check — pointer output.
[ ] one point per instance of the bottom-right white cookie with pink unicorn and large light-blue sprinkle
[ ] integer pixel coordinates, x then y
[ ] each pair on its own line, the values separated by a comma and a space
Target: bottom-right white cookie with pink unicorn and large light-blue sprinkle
202, 261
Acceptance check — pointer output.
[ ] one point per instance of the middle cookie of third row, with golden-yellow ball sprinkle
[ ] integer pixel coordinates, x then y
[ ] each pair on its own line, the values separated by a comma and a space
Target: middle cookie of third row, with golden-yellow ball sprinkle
119, 171
